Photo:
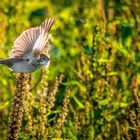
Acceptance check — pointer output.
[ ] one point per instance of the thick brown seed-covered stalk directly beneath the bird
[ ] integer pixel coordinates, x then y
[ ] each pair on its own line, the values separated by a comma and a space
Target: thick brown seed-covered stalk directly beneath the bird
15, 120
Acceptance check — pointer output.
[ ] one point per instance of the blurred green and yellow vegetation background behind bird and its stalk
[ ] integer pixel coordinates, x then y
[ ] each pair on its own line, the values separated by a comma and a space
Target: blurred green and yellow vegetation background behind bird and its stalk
91, 88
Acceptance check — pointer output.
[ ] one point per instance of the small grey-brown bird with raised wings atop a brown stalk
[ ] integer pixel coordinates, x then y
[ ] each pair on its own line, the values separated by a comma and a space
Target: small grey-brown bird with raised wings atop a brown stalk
27, 54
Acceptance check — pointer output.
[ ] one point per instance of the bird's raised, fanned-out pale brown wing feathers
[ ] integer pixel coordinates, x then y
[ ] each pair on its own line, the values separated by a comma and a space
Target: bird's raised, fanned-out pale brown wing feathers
32, 41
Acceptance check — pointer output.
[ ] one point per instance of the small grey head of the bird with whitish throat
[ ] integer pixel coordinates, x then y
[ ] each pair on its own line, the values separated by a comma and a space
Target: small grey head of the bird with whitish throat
43, 60
